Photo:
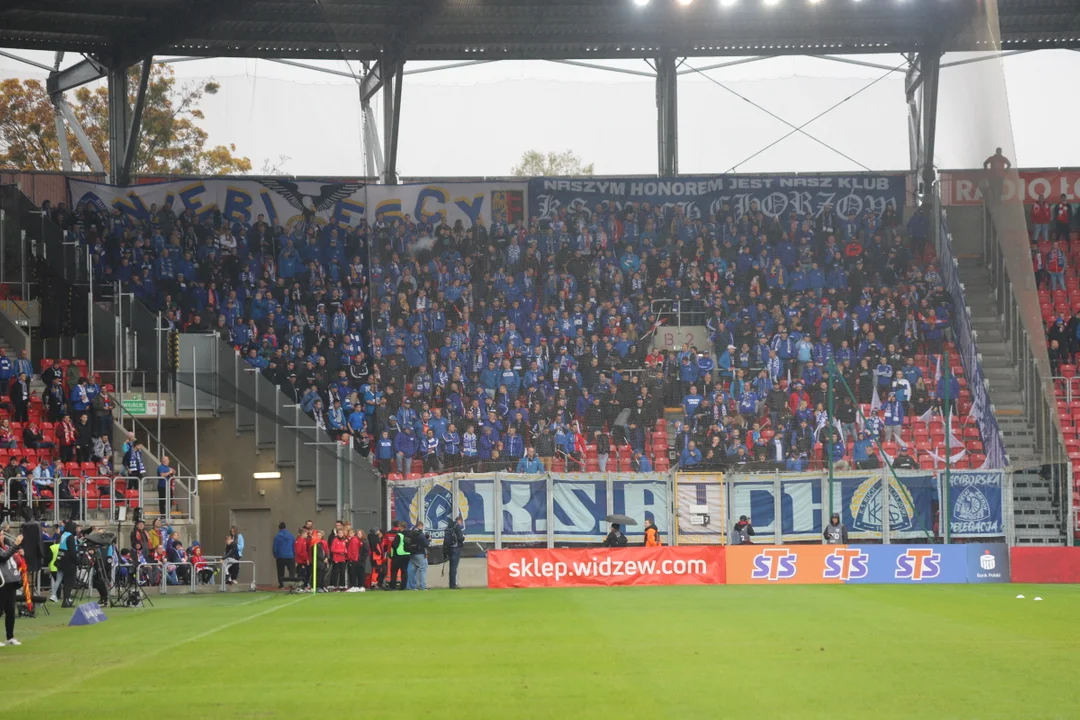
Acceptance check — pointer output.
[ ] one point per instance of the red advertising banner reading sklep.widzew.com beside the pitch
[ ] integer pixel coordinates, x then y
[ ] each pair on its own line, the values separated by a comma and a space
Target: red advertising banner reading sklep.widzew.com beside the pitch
606, 567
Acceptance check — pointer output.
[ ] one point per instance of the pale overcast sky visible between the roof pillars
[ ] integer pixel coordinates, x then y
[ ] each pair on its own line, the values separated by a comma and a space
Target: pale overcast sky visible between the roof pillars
479, 120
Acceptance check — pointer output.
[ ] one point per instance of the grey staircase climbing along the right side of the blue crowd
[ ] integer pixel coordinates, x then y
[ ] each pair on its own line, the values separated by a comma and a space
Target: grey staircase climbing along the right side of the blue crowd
1036, 518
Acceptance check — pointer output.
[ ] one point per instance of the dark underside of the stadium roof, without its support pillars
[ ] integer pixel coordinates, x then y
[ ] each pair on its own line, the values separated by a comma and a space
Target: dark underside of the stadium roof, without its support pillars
550, 30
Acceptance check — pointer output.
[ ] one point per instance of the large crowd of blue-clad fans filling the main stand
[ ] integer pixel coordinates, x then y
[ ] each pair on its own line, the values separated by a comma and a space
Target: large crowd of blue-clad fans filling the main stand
522, 345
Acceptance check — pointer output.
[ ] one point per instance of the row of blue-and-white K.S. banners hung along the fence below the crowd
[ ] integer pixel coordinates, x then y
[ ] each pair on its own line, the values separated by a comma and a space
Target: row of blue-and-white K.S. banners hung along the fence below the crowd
551, 510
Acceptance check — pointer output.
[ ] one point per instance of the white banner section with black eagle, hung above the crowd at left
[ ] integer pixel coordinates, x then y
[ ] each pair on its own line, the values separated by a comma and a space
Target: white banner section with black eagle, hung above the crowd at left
295, 205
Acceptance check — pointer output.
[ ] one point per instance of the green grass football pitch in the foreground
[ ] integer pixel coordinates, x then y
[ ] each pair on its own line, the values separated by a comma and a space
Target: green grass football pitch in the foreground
946, 651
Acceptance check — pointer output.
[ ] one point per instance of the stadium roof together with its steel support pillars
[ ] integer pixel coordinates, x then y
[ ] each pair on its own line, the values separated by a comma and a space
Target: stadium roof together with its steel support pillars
383, 35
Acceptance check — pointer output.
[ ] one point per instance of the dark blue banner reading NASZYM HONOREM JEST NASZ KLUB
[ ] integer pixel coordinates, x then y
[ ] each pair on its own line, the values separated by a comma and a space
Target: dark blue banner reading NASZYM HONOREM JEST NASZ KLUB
722, 195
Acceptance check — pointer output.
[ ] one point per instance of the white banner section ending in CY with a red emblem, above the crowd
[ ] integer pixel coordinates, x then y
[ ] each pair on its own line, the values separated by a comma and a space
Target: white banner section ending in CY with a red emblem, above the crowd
449, 203
